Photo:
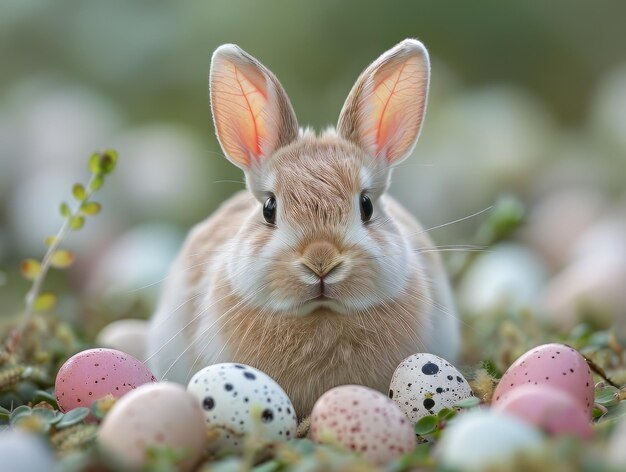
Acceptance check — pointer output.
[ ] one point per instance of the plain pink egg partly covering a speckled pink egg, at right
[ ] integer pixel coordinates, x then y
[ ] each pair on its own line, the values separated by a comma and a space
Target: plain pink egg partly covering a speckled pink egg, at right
552, 410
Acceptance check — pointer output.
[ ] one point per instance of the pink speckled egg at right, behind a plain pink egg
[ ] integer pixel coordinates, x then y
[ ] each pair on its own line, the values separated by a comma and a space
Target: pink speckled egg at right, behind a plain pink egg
555, 365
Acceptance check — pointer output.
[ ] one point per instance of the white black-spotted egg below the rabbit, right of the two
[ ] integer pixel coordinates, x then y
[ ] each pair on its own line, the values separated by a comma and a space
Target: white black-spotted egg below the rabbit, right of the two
424, 383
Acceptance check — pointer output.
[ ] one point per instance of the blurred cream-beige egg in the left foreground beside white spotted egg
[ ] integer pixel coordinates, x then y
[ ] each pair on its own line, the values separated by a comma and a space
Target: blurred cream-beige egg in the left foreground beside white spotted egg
156, 415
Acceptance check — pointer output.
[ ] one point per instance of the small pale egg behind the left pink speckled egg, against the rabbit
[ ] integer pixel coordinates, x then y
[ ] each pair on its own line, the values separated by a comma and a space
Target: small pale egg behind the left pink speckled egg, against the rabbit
128, 336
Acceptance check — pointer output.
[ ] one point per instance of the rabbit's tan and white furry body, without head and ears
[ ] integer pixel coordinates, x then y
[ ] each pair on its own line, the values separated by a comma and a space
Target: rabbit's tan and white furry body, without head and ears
201, 321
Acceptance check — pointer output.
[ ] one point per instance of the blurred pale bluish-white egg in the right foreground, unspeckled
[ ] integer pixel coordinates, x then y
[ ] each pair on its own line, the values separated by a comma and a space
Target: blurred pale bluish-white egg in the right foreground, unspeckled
477, 440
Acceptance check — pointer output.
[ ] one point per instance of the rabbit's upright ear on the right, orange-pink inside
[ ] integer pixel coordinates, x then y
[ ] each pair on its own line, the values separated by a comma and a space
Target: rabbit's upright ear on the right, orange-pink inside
385, 109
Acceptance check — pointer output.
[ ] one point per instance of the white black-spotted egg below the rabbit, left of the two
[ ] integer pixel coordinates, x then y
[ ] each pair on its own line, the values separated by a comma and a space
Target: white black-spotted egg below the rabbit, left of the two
238, 399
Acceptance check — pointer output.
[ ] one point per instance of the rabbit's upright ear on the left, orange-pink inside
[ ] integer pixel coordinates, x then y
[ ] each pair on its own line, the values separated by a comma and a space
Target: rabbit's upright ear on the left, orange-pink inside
252, 114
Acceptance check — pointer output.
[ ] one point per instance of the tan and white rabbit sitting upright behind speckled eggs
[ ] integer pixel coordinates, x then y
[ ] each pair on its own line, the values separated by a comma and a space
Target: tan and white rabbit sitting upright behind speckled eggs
313, 274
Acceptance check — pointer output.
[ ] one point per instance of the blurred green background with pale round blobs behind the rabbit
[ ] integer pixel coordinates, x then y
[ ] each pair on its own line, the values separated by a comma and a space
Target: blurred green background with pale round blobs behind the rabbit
528, 101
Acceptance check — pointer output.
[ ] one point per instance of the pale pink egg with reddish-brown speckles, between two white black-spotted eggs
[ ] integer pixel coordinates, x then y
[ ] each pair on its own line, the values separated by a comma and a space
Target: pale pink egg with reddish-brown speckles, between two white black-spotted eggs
363, 420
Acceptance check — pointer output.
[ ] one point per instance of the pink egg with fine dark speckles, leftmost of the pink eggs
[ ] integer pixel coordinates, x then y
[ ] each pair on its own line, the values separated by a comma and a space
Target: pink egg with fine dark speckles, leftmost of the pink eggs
95, 373
